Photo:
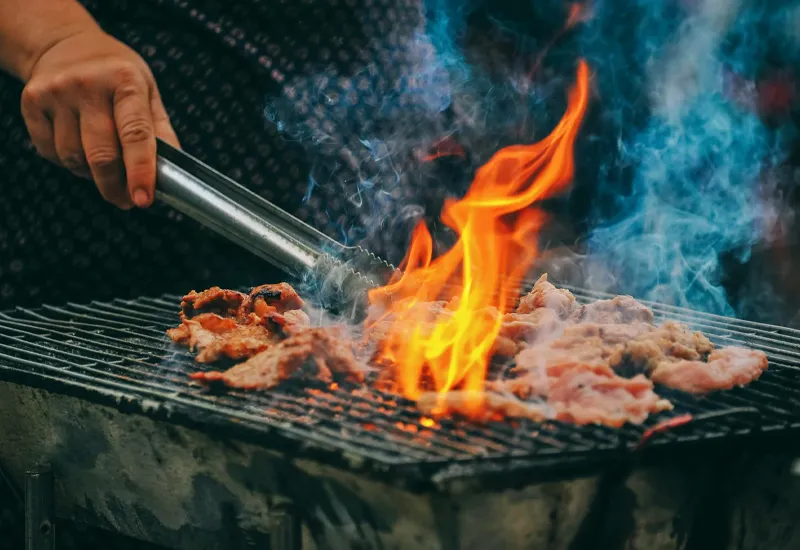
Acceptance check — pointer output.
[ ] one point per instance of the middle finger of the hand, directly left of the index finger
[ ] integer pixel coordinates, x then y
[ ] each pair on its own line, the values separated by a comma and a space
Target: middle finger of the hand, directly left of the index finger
103, 153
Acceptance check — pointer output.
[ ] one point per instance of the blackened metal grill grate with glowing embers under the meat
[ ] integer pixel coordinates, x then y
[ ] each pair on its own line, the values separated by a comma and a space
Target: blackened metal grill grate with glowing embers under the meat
119, 352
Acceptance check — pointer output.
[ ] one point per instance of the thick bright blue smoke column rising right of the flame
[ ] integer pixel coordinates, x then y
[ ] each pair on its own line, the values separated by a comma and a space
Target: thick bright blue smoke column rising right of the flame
696, 156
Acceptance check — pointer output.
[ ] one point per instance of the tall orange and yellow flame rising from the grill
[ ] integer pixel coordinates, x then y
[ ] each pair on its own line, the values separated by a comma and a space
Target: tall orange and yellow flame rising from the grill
497, 232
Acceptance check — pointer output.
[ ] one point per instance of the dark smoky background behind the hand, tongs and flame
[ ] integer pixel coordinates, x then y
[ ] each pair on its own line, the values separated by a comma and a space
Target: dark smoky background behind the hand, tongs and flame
362, 117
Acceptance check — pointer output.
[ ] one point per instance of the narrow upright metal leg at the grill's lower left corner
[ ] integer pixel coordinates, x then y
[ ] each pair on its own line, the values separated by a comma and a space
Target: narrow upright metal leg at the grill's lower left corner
39, 513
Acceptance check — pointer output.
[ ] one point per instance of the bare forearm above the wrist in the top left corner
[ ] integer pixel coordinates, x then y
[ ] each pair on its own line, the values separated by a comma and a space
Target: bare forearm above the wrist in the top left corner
28, 28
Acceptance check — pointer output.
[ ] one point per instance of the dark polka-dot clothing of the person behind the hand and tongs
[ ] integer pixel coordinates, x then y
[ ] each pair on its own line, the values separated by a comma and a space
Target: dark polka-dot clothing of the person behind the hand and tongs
217, 65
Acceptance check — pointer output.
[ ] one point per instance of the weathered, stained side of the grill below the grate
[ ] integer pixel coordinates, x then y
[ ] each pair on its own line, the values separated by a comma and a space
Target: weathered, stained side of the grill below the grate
180, 488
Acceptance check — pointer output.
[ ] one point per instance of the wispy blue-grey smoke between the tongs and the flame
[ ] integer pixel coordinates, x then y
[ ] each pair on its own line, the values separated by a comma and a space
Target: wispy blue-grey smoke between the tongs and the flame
366, 132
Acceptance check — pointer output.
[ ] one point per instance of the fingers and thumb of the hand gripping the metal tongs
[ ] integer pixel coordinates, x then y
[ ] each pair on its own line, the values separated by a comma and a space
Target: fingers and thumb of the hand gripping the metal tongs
106, 132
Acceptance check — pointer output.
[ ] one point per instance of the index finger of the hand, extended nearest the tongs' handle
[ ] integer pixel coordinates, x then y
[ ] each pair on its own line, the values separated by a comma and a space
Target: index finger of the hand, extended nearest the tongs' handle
137, 136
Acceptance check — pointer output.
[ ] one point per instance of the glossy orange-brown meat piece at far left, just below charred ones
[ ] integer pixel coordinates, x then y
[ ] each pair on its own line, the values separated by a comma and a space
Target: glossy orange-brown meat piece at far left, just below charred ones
213, 337
